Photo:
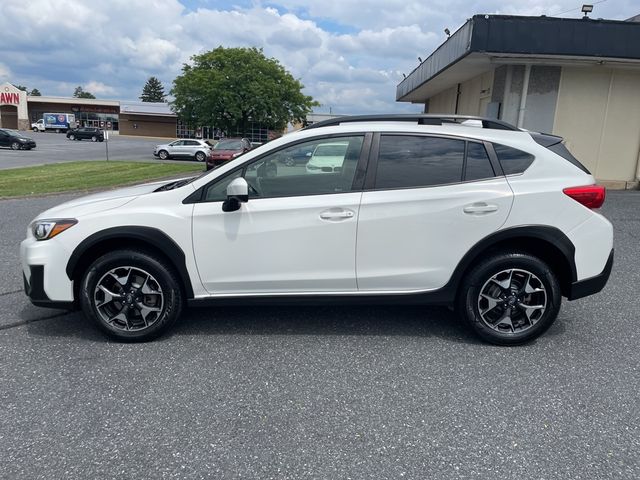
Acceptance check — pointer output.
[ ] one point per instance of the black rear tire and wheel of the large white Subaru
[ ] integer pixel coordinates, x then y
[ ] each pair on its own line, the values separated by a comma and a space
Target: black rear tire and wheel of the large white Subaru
510, 298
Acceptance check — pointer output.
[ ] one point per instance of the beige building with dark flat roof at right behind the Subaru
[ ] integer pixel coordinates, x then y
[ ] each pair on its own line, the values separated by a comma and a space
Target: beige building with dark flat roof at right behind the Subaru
577, 78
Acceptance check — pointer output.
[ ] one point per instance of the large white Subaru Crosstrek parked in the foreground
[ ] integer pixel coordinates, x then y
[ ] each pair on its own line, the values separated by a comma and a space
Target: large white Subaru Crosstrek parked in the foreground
472, 213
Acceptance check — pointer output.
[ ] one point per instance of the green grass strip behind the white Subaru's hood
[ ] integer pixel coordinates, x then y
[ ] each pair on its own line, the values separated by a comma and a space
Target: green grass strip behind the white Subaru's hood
83, 176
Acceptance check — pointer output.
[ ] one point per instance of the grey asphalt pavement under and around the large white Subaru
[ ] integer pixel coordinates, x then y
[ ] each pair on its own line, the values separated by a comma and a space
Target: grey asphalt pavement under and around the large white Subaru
322, 392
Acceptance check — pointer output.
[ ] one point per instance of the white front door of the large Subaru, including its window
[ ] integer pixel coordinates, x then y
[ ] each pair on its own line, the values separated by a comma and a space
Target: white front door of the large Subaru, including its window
296, 234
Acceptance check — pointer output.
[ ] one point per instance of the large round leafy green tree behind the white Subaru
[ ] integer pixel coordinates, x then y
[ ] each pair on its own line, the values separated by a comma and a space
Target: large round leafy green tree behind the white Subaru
227, 87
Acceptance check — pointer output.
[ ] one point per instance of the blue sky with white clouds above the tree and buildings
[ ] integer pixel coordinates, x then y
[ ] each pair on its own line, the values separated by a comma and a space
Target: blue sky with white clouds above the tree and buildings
349, 54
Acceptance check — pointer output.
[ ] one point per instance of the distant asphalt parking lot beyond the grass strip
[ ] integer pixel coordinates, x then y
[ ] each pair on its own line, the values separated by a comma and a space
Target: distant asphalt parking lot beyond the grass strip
55, 148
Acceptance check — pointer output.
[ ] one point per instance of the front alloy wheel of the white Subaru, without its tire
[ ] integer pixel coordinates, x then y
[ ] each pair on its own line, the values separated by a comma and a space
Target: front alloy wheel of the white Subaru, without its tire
128, 298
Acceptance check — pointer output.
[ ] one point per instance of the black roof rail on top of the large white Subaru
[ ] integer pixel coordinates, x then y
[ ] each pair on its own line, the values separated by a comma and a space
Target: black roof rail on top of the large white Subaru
420, 119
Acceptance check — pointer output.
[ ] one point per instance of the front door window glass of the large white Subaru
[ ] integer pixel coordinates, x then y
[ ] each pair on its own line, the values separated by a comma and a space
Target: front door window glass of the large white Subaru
330, 168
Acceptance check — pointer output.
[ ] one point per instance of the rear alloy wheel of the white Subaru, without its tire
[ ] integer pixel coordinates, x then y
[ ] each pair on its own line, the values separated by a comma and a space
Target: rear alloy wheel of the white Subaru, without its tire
512, 301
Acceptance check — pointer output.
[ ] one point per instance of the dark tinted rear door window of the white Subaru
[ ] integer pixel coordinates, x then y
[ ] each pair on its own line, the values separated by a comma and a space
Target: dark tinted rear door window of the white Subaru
408, 161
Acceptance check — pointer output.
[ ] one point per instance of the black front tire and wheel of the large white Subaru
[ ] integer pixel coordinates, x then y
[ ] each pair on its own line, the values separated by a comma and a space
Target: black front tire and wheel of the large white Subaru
144, 295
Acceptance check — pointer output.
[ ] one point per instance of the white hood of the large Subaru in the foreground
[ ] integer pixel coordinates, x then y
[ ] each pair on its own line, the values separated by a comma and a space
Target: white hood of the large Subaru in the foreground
101, 201
